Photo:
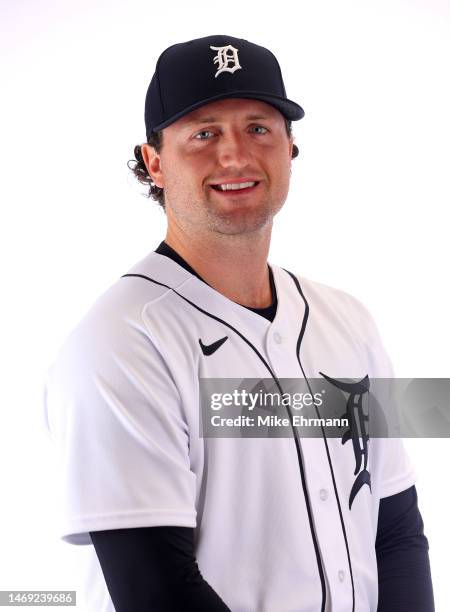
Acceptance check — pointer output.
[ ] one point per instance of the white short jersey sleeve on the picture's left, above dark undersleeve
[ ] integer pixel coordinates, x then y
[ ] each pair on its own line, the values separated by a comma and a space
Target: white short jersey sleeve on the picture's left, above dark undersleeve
116, 417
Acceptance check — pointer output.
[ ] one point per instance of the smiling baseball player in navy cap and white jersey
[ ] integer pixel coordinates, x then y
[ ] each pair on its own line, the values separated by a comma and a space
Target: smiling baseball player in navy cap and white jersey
181, 521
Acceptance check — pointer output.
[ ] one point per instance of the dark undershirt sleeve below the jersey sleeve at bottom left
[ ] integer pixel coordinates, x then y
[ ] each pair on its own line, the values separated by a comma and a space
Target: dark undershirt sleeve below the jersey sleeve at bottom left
154, 569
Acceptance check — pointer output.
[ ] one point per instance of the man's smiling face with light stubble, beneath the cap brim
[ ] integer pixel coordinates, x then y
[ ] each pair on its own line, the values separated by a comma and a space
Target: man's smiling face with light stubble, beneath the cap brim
230, 141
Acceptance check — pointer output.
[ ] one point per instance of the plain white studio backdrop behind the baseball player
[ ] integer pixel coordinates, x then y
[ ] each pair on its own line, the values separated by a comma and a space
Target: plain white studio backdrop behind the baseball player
367, 210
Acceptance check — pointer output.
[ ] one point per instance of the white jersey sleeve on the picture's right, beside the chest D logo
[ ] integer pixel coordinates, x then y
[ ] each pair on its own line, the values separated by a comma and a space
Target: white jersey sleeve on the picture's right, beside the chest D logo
395, 471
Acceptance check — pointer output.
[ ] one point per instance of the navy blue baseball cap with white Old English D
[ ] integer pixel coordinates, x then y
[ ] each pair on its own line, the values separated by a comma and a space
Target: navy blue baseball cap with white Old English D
193, 73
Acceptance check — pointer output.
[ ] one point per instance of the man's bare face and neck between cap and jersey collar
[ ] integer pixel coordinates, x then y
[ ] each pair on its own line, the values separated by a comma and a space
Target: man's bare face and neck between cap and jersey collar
225, 173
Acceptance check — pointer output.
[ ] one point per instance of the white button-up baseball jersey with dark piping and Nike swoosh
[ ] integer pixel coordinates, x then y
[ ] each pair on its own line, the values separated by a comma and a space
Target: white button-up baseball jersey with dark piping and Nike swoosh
274, 530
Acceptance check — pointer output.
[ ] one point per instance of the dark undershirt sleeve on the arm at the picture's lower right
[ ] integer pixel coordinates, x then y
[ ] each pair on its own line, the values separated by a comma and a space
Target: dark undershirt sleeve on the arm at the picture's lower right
404, 575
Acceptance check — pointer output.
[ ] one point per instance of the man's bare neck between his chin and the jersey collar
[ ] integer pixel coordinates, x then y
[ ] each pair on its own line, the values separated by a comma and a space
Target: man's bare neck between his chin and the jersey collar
233, 265
